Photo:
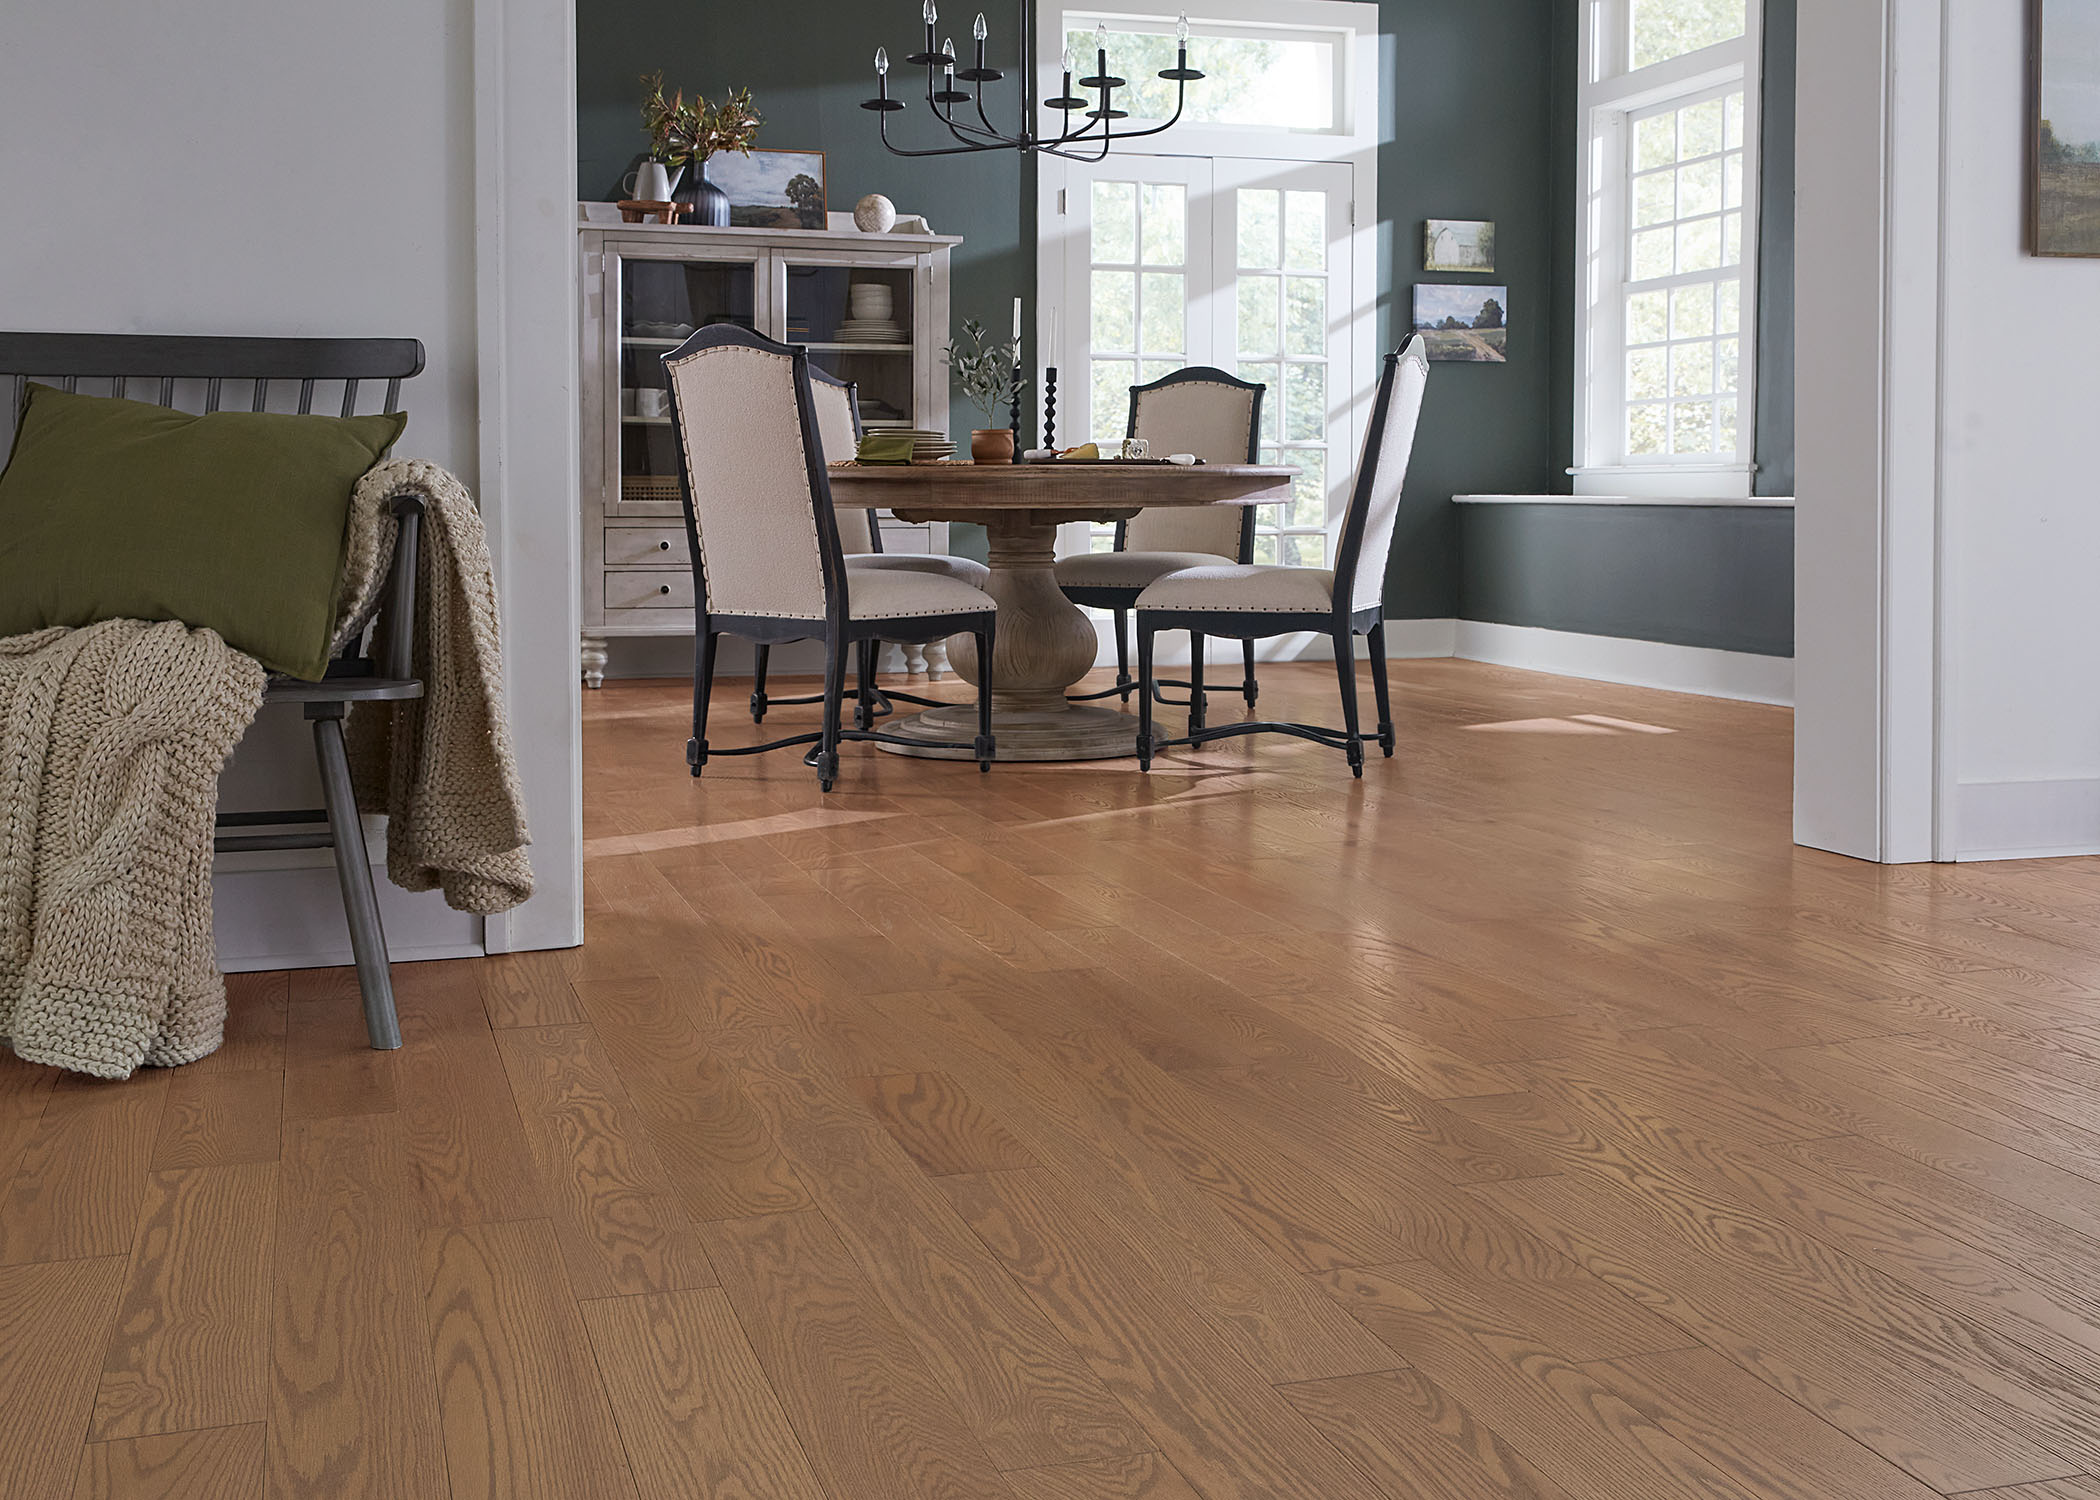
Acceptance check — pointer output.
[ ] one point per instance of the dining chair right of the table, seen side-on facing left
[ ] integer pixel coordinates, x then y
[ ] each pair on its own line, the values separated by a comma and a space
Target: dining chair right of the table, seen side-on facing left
1253, 602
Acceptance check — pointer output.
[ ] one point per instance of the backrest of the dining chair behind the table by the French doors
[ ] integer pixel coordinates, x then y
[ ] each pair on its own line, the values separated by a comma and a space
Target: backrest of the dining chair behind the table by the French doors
1219, 419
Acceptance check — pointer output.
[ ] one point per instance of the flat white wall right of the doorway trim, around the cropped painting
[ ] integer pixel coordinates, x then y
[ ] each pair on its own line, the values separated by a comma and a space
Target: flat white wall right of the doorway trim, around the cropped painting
2019, 476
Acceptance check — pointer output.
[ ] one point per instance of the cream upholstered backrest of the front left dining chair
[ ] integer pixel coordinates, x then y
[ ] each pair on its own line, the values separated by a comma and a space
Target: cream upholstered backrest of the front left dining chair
757, 499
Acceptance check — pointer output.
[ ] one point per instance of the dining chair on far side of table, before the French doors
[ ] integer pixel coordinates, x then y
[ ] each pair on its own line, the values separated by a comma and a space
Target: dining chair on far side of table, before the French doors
1219, 419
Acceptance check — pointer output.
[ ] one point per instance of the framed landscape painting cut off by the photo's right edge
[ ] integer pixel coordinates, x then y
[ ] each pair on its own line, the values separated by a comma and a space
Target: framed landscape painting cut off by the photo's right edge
2065, 196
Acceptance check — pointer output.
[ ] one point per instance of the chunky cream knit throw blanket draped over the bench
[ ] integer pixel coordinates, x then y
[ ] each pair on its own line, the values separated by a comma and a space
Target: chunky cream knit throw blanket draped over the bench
110, 751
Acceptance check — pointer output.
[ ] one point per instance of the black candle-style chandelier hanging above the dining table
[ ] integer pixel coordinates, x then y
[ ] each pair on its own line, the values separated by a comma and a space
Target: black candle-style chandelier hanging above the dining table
1087, 144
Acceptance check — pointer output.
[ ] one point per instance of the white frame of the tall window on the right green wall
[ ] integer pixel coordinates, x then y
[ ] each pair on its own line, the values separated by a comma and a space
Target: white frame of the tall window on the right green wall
1610, 93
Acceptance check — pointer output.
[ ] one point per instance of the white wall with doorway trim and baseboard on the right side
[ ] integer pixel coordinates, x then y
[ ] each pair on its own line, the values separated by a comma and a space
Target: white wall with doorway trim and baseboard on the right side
1946, 514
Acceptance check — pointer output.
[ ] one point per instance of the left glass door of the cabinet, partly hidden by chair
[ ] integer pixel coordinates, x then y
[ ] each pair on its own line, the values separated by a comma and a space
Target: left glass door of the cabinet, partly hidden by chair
663, 304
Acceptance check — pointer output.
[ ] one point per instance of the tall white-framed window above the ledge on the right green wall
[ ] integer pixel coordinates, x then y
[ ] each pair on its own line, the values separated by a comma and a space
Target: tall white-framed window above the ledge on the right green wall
1668, 249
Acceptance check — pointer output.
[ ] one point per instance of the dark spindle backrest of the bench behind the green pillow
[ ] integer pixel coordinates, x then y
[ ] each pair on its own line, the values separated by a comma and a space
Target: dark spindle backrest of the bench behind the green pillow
194, 375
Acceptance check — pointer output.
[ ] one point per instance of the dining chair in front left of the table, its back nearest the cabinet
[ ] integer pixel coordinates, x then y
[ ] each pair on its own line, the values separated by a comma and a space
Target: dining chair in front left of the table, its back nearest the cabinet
768, 556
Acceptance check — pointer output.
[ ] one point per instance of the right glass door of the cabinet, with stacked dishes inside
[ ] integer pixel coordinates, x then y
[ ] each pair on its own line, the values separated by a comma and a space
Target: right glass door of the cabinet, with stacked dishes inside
860, 325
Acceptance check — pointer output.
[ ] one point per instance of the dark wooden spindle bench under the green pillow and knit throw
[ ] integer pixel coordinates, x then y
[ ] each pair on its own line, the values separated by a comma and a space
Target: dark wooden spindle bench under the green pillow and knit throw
377, 667
